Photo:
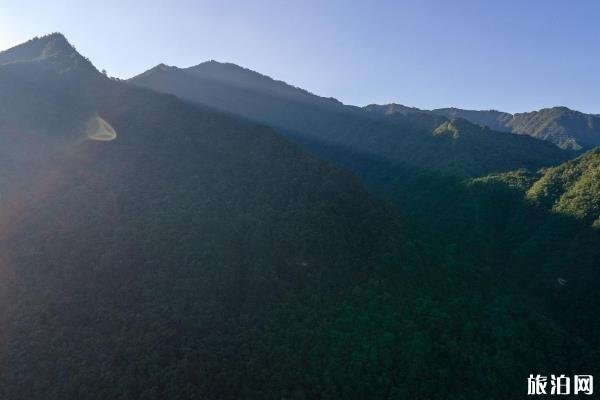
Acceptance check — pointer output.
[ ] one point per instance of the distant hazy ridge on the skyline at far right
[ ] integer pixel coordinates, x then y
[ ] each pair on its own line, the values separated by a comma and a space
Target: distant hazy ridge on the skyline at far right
568, 129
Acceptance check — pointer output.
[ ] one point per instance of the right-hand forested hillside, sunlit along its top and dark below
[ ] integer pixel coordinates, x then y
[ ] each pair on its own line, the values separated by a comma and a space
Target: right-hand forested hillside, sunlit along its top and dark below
499, 223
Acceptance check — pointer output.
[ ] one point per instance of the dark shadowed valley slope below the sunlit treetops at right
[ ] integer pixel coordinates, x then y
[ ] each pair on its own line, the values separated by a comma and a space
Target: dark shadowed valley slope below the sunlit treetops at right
551, 260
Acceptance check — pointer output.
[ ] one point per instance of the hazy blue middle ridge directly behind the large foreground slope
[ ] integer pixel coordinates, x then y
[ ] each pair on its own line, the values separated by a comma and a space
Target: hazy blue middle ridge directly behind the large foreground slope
403, 139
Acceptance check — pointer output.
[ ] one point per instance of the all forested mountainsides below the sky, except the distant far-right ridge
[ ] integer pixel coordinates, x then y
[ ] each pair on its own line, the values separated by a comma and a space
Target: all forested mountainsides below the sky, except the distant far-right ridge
200, 244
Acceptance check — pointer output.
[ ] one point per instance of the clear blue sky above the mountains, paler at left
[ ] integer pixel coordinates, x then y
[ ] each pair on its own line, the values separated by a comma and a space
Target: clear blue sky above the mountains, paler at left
507, 55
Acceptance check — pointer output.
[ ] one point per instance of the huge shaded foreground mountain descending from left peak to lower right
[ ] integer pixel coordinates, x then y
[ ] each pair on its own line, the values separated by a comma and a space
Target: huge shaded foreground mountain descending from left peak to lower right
154, 249
